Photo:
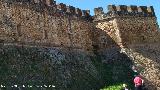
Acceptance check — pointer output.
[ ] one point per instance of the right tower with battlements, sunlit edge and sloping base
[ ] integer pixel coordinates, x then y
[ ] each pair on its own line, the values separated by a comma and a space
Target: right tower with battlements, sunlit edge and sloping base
135, 30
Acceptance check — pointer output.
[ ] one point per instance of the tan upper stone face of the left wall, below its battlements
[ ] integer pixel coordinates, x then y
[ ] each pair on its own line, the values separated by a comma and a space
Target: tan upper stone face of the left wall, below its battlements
22, 24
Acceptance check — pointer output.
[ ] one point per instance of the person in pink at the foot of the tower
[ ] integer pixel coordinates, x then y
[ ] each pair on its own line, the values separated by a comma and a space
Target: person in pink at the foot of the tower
138, 81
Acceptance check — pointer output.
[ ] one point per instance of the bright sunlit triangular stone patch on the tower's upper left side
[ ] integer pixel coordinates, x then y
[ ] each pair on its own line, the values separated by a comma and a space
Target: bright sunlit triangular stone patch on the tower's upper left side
110, 28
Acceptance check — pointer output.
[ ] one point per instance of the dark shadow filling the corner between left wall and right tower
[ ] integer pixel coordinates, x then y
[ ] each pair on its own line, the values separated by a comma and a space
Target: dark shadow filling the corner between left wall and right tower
114, 66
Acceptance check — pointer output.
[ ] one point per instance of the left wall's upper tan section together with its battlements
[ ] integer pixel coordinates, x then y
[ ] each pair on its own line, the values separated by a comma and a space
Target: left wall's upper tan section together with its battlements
44, 23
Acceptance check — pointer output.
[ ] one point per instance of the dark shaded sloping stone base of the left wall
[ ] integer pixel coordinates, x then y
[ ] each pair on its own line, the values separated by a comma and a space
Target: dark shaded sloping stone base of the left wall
39, 66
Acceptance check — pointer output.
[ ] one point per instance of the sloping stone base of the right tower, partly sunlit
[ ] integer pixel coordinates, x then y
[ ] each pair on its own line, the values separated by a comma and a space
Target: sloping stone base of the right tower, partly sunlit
146, 58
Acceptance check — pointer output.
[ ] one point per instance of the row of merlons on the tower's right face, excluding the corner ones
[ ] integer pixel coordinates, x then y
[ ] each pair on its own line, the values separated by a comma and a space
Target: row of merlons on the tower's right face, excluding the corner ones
143, 11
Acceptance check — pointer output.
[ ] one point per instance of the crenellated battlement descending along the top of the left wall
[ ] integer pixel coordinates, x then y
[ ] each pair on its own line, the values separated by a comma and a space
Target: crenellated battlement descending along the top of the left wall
53, 7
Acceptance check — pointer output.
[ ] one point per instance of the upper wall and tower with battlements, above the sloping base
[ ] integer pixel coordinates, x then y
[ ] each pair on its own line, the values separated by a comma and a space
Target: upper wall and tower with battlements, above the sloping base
47, 23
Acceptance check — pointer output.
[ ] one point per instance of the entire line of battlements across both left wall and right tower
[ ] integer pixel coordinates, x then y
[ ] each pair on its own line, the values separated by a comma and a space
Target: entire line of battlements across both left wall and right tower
120, 10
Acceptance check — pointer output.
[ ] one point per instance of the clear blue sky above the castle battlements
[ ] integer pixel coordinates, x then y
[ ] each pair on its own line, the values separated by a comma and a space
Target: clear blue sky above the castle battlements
91, 4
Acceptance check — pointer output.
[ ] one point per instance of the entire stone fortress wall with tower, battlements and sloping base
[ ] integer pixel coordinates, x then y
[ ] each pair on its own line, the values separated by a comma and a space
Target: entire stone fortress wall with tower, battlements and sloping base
64, 39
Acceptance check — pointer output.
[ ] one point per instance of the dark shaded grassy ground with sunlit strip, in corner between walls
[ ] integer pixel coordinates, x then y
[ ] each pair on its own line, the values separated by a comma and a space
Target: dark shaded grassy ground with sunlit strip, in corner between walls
107, 71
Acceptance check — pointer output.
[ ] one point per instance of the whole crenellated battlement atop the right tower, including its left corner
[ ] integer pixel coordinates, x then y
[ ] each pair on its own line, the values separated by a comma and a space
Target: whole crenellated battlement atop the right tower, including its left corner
123, 10
